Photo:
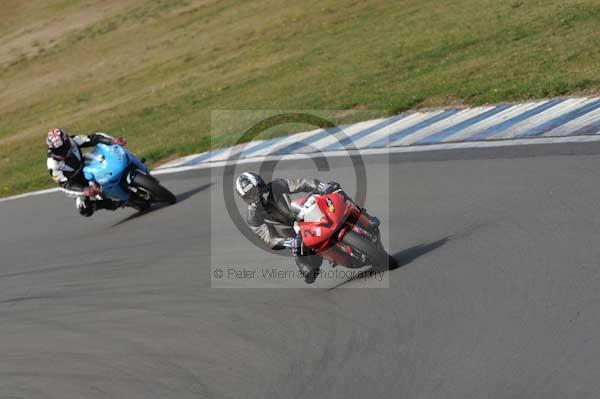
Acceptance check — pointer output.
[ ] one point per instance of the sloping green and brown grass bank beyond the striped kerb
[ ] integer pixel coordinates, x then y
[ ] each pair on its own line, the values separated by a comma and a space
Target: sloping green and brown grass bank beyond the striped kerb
154, 70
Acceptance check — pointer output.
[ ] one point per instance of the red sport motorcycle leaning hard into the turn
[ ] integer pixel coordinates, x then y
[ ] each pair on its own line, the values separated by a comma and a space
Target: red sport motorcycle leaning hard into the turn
338, 230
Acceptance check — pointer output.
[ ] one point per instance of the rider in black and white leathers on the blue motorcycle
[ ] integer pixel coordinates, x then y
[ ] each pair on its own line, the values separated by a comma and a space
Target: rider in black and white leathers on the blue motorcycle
65, 164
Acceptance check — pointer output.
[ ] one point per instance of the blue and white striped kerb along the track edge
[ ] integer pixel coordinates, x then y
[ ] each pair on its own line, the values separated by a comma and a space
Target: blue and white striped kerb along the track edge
535, 119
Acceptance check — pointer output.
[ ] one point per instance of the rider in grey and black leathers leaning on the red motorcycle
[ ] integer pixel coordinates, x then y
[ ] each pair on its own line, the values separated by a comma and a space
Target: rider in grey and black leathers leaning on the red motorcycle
270, 203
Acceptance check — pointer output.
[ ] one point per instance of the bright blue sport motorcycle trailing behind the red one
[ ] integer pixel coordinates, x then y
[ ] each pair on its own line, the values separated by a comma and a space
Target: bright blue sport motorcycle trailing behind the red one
124, 178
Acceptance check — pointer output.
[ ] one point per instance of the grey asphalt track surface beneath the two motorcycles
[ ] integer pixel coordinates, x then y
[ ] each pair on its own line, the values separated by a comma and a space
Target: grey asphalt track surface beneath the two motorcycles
497, 294
